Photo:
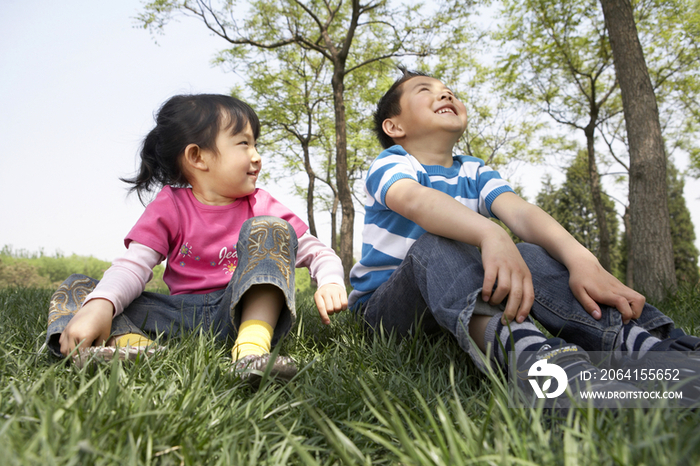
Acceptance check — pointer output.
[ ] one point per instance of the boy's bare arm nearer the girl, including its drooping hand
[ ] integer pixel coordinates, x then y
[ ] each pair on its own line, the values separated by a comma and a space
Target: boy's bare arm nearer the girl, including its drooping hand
442, 215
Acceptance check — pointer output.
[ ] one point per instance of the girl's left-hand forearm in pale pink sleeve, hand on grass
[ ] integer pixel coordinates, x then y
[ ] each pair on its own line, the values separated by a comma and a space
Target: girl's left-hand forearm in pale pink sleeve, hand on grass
123, 282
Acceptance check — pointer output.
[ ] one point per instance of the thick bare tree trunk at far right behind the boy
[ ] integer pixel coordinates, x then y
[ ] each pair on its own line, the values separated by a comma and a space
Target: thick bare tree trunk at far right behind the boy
650, 247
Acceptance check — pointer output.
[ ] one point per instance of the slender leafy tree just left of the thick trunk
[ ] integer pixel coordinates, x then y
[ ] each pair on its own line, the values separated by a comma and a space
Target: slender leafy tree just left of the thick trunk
559, 61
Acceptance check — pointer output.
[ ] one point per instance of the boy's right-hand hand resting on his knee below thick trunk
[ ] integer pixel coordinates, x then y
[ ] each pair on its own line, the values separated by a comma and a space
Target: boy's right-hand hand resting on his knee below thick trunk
592, 284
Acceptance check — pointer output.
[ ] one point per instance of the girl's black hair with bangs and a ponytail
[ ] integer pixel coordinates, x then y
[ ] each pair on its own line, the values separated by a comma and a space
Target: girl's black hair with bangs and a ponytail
181, 121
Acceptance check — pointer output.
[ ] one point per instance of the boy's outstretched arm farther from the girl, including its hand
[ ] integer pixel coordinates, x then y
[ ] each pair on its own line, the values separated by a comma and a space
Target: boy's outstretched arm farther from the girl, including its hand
590, 283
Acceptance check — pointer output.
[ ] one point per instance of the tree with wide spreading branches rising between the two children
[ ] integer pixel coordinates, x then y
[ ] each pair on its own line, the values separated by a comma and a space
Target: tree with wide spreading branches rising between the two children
349, 36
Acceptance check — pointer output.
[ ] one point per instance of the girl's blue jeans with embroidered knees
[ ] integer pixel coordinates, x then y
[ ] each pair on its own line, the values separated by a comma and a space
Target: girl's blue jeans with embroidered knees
266, 250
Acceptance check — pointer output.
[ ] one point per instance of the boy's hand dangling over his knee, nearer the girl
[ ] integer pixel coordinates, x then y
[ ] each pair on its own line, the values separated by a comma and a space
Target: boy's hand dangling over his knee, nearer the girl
505, 269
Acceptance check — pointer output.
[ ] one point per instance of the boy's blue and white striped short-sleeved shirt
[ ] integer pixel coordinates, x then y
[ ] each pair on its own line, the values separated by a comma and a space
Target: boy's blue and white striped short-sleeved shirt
387, 236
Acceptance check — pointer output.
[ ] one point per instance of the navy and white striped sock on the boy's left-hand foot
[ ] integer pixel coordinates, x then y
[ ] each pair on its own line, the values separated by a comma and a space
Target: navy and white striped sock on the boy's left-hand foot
513, 337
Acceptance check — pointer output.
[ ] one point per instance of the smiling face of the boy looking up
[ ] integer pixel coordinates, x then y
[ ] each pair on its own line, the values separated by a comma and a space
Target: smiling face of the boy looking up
429, 109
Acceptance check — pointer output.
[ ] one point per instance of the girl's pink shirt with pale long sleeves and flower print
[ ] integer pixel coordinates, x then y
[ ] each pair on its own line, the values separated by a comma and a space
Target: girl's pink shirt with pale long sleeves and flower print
199, 242
